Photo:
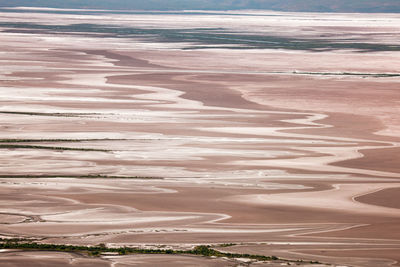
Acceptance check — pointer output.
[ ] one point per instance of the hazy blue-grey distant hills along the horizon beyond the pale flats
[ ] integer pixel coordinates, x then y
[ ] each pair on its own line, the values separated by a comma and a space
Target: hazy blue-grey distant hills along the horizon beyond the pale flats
281, 5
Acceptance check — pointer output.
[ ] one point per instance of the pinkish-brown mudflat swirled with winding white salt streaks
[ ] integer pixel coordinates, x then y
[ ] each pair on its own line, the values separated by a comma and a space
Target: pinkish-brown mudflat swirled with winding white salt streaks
216, 146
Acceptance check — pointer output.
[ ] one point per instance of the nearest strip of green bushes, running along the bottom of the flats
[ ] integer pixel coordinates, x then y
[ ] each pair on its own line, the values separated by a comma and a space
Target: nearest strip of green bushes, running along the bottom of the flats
101, 248
